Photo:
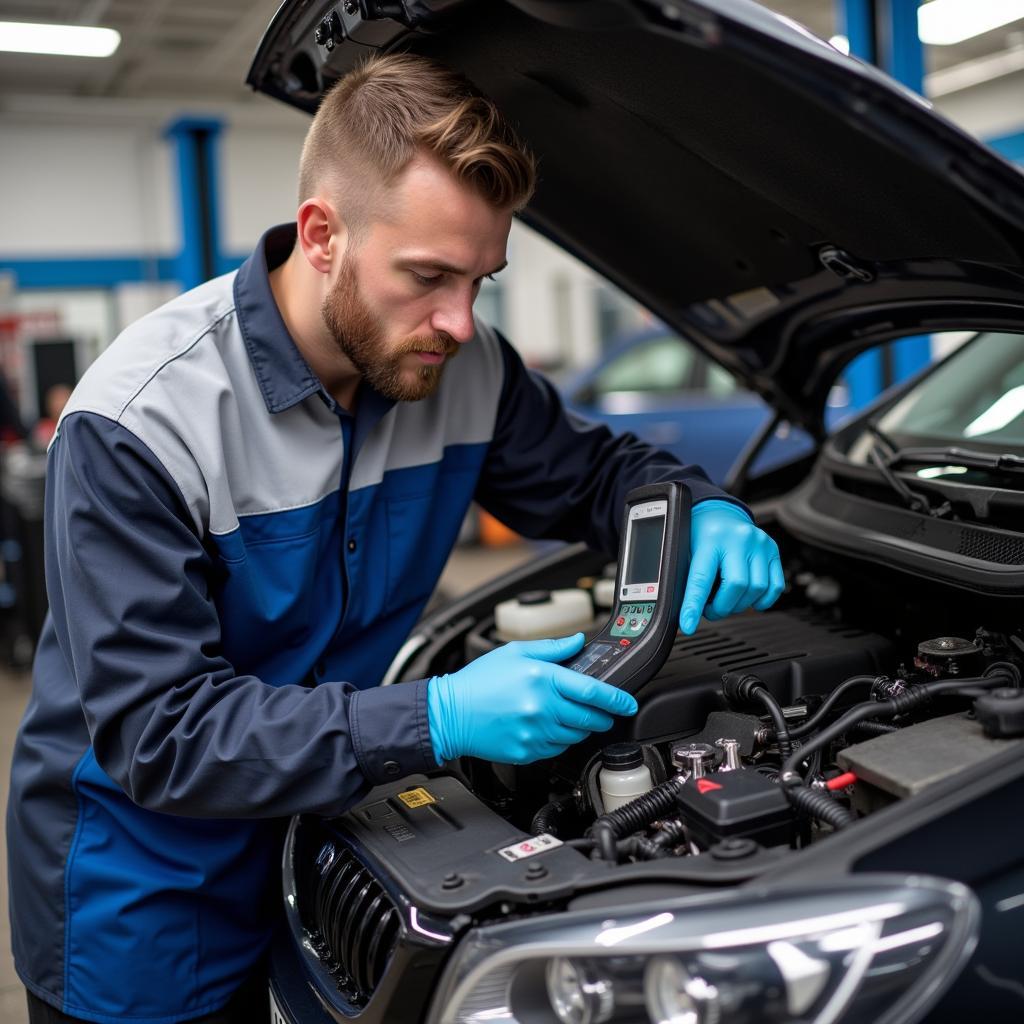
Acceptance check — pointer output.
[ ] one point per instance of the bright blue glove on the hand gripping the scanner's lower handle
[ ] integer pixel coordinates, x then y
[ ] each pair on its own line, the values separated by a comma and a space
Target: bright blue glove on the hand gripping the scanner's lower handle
516, 706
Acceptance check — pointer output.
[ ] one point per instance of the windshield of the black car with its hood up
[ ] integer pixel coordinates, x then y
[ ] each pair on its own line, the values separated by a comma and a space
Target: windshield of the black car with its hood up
975, 399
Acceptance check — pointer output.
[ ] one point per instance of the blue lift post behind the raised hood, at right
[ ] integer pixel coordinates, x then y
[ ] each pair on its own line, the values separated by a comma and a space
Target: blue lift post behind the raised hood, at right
885, 32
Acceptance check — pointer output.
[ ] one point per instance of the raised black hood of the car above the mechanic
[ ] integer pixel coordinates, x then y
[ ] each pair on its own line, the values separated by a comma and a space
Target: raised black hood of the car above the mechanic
779, 203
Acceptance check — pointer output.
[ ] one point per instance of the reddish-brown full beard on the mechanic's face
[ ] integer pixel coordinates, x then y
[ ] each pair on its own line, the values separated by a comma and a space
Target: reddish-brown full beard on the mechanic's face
360, 335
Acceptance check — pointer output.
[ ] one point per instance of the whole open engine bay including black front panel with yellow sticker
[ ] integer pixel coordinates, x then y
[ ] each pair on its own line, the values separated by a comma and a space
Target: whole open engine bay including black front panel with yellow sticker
761, 736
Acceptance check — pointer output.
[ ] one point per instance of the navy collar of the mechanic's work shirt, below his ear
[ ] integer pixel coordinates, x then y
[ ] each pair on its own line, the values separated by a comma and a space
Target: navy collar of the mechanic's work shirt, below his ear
284, 376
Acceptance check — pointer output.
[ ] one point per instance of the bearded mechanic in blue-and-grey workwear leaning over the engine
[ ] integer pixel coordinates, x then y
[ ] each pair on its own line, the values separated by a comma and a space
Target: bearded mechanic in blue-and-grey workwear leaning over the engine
250, 497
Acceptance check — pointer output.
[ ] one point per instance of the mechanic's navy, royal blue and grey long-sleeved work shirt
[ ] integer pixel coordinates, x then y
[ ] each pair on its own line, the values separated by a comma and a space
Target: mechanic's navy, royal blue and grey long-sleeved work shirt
233, 561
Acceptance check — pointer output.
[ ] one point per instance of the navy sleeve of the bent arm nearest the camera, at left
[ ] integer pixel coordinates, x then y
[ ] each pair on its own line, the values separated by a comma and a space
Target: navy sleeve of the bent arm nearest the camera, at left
130, 582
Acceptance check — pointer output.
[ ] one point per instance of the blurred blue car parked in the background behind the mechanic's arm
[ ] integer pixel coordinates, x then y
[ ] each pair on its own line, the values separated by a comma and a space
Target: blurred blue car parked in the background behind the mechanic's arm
659, 387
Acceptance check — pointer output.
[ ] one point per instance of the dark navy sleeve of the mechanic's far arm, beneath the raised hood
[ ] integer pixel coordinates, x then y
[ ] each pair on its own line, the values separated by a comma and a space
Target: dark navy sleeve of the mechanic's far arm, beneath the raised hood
550, 474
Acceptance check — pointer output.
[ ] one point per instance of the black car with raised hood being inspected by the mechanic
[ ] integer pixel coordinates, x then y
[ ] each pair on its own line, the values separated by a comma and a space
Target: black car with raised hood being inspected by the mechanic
857, 852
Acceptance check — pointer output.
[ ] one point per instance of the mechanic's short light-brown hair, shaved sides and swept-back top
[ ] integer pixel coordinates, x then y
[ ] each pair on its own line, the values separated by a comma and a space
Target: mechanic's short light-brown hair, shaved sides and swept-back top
377, 118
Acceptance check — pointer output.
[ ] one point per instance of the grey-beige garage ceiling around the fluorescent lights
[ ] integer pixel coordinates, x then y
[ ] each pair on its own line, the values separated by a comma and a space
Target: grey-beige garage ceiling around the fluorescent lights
200, 50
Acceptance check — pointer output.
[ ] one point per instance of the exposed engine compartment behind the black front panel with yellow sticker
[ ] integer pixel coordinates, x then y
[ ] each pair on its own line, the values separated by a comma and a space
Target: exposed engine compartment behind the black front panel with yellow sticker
773, 732
